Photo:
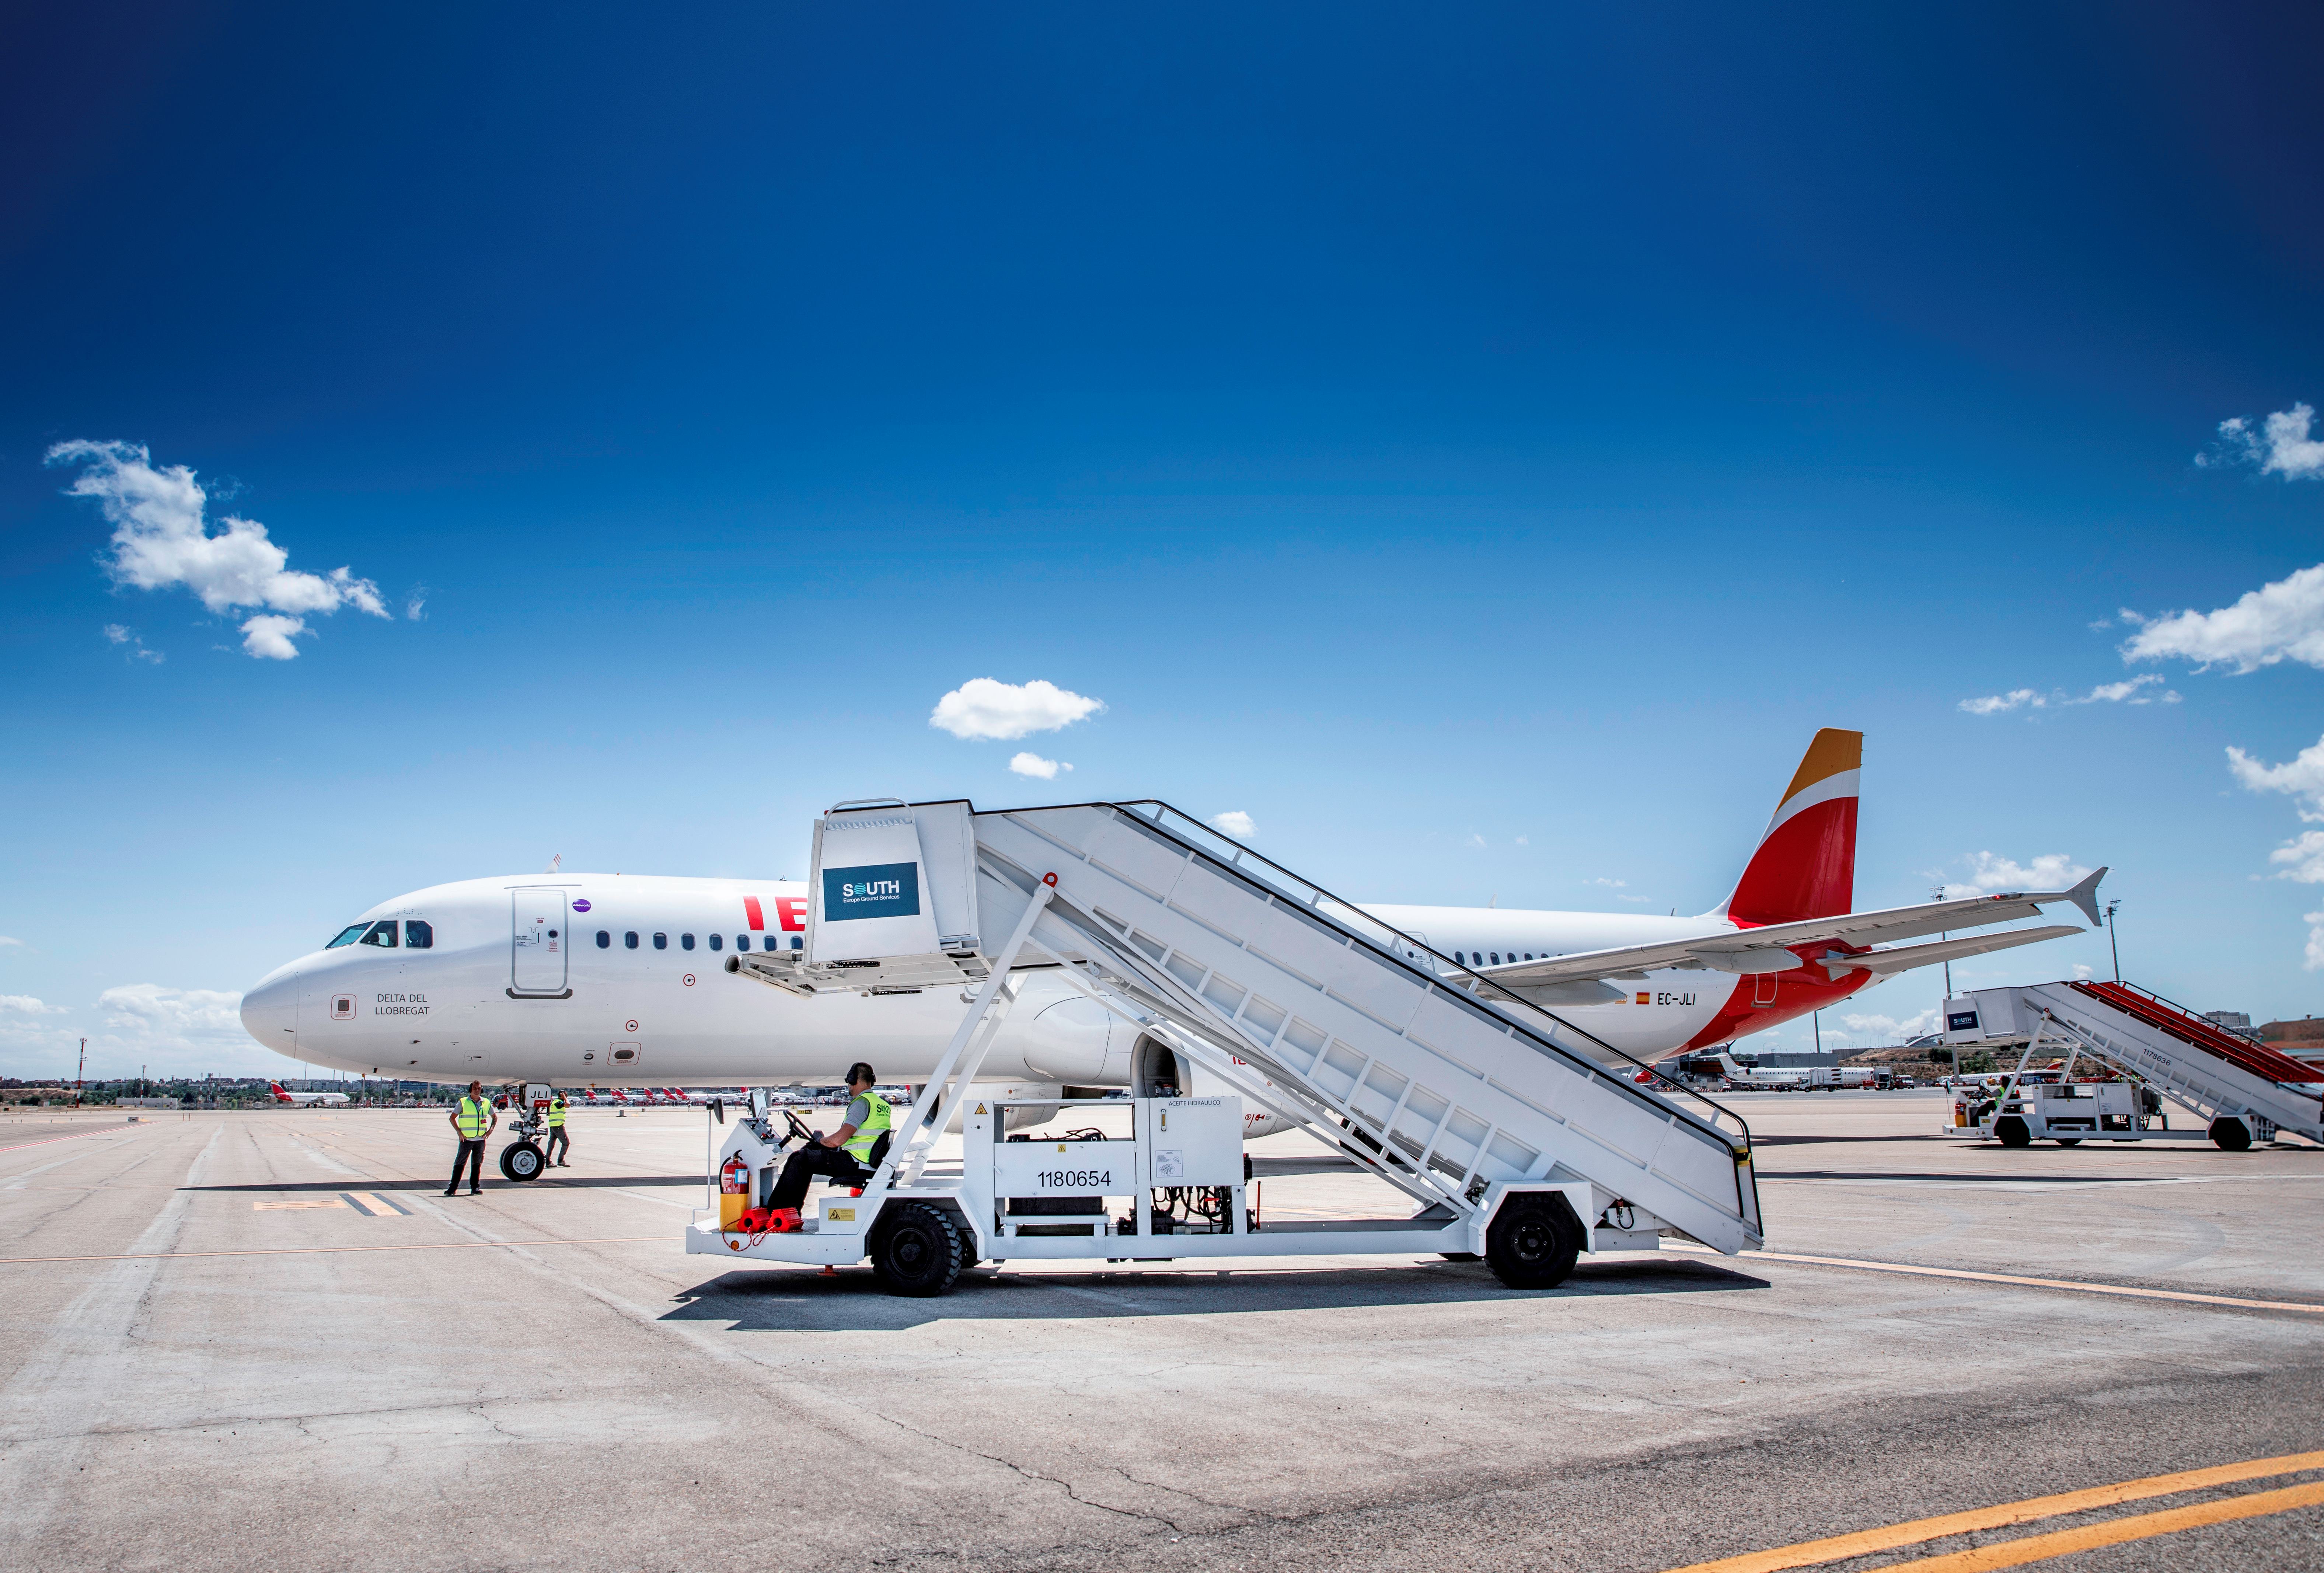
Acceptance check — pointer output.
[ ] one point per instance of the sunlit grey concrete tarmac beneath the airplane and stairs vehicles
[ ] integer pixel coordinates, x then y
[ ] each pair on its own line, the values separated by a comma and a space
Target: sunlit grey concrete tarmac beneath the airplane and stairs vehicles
266, 1339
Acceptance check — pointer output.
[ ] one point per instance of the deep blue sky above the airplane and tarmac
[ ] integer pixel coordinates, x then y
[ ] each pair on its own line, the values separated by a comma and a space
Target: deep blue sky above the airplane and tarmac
1423, 431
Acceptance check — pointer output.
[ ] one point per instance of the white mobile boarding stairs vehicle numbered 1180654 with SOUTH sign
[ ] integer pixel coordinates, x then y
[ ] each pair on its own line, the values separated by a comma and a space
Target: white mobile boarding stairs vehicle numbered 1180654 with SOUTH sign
1514, 1135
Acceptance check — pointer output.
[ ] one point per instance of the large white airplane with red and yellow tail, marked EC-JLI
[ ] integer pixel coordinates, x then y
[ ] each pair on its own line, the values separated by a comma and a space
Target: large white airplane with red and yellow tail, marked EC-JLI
615, 979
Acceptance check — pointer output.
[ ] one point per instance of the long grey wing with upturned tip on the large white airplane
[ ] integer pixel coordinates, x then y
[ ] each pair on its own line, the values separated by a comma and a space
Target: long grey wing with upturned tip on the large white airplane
1774, 947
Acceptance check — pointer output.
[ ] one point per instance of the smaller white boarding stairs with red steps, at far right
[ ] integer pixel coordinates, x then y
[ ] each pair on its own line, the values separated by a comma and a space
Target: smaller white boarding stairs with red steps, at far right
2239, 1091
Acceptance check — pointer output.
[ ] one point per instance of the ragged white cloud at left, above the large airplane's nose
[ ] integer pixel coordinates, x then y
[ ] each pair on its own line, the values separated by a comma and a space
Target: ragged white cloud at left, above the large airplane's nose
162, 540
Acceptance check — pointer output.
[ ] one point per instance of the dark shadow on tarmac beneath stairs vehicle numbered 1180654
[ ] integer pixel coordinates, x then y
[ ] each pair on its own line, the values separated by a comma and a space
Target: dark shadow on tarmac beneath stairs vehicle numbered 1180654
803, 1300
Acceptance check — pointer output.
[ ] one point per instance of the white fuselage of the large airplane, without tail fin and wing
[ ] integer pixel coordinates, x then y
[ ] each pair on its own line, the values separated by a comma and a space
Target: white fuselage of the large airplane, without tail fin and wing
622, 982
